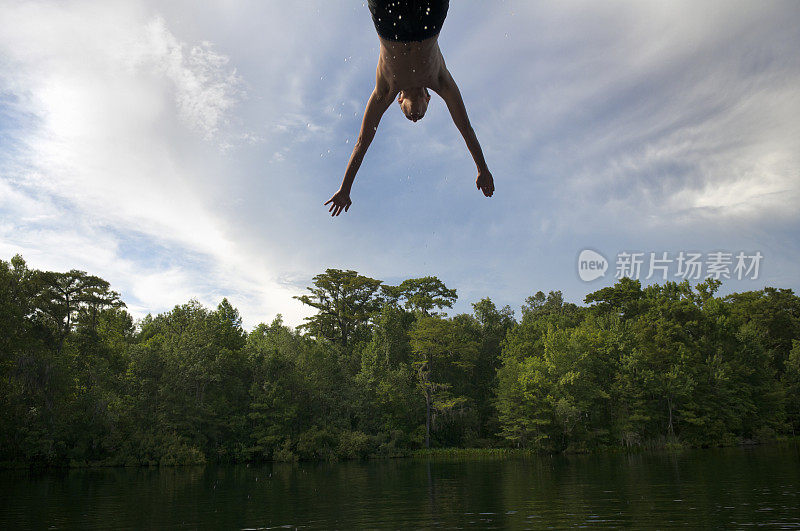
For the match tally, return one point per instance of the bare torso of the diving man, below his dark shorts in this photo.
(403, 65)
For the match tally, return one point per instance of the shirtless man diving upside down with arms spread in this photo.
(409, 64)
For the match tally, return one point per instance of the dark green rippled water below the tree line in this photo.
(728, 488)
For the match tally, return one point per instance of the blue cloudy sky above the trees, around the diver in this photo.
(184, 150)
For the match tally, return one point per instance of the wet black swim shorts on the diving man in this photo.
(408, 20)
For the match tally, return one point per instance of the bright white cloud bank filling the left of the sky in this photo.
(128, 118)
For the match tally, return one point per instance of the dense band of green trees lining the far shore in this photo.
(380, 370)
